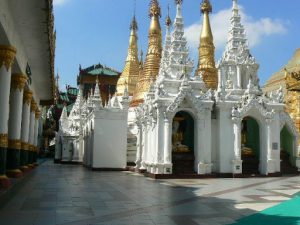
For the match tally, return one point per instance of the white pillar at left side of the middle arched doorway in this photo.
(237, 161)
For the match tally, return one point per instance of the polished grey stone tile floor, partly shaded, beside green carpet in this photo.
(72, 195)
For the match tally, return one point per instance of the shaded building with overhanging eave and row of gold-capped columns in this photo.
(27, 49)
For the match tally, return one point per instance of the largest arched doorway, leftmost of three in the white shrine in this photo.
(183, 143)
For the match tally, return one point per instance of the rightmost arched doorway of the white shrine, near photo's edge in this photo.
(287, 152)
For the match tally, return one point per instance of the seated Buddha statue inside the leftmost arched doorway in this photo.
(178, 136)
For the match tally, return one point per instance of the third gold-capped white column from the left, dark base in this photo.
(25, 130)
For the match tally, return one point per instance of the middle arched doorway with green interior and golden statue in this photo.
(250, 146)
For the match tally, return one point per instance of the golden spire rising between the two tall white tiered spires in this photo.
(206, 65)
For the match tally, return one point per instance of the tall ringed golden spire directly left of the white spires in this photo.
(153, 56)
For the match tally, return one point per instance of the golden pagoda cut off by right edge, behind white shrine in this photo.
(289, 79)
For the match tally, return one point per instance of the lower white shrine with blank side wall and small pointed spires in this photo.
(94, 135)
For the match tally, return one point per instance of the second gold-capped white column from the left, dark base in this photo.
(14, 132)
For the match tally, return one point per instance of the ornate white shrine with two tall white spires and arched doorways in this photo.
(184, 128)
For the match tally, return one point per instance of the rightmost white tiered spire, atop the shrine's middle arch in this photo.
(237, 65)
